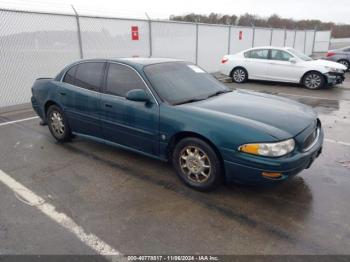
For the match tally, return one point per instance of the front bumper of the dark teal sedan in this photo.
(250, 170)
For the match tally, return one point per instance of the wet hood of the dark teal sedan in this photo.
(281, 118)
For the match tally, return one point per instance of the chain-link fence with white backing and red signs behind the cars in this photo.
(35, 44)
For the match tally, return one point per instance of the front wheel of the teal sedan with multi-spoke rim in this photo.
(197, 164)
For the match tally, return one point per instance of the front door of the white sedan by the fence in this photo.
(281, 69)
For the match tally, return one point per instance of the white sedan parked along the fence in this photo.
(281, 64)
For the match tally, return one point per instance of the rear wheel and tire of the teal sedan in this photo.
(58, 124)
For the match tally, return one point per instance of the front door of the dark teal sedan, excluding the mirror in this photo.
(129, 123)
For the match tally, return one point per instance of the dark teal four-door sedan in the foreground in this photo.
(175, 111)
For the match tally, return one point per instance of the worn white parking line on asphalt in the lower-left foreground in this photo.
(27, 196)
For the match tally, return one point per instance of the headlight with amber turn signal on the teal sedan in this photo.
(269, 149)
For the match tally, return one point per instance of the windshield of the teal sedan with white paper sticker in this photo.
(181, 82)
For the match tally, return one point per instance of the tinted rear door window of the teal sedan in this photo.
(89, 75)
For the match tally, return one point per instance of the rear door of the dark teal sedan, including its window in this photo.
(80, 97)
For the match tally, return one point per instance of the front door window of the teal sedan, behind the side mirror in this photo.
(121, 79)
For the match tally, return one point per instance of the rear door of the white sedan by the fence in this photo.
(256, 63)
